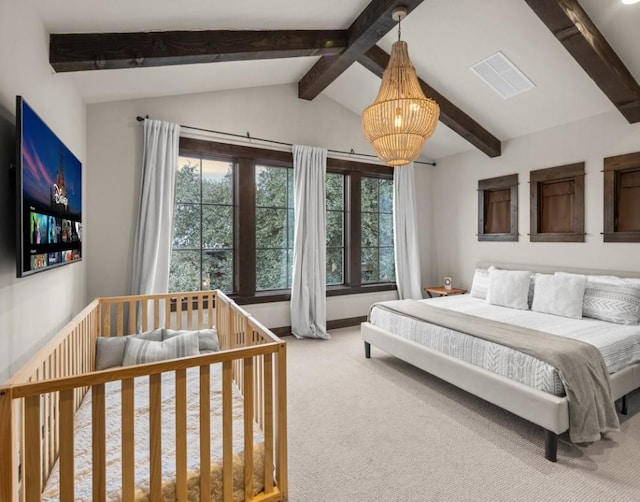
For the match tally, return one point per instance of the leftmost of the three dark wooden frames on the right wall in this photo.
(486, 186)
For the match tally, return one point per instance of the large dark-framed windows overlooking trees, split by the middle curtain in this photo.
(234, 223)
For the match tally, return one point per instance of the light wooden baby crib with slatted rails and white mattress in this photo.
(137, 432)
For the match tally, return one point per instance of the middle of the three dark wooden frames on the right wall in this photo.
(573, 173)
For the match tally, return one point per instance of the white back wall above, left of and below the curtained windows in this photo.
(114, 149)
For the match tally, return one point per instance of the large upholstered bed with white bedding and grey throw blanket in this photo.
(517, 382)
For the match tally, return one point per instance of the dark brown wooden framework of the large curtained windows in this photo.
(246, 158)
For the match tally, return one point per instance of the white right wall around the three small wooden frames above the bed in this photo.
(453, 228)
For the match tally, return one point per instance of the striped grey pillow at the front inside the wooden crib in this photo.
(139, 351)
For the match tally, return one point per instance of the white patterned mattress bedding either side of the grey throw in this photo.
(619, 344)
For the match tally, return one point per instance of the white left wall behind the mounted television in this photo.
(32, 309)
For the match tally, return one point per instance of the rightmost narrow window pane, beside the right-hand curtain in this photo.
(377, 230)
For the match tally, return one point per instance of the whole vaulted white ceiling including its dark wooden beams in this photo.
(581, 55)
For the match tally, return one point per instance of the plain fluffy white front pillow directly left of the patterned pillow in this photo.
(559, 294)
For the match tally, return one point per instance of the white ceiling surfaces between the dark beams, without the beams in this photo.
(445, 38)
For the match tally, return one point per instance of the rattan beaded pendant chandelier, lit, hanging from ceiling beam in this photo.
(401, 118)
